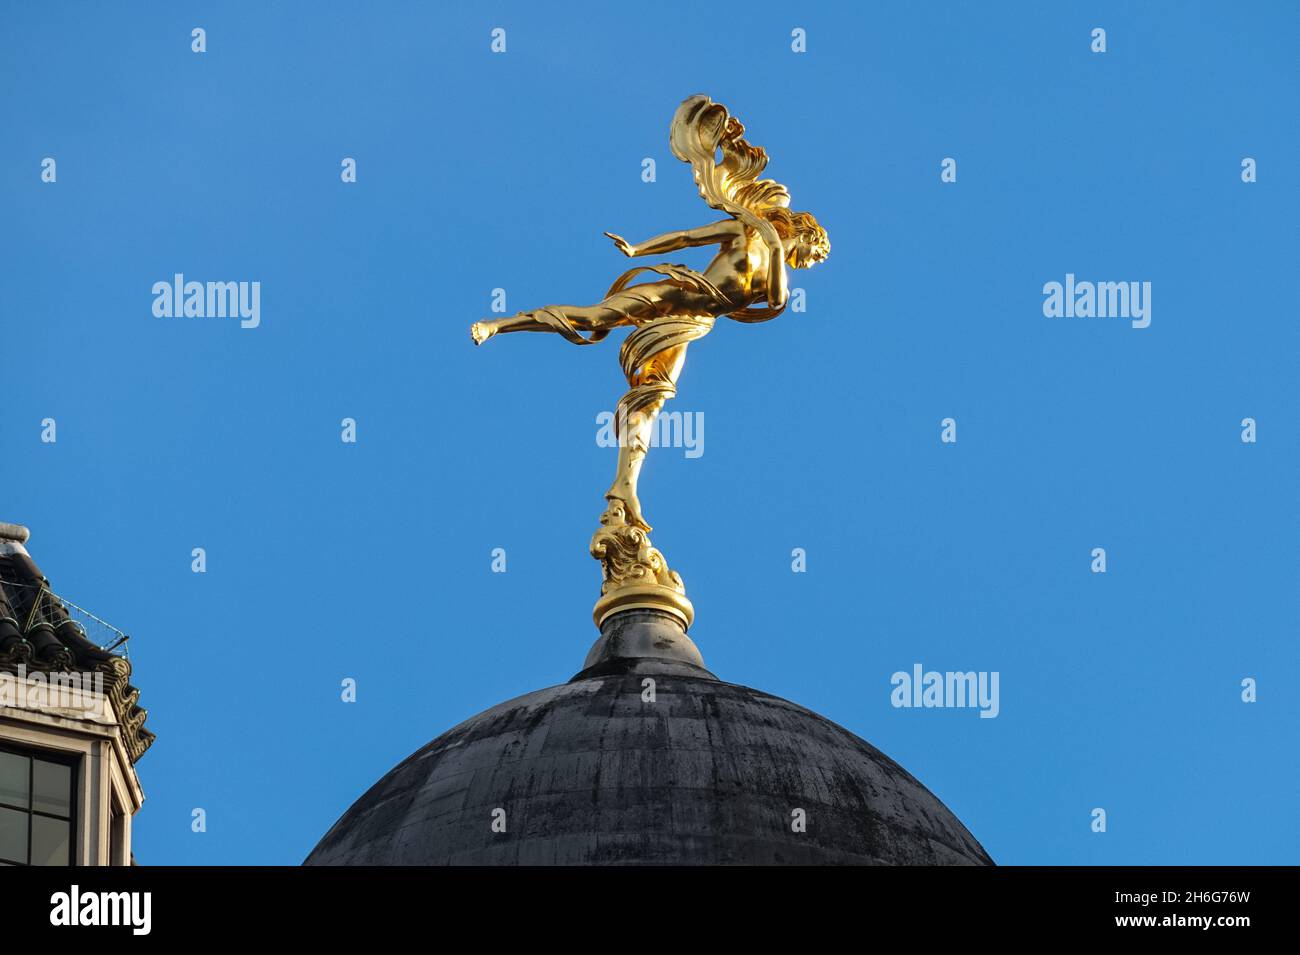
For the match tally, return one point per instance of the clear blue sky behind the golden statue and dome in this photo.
(480, 171)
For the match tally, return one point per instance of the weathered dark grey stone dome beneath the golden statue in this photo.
(590, 772)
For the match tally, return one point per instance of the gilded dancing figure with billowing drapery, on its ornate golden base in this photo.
(746, 281)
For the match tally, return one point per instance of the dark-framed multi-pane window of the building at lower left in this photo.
(36, 809)
